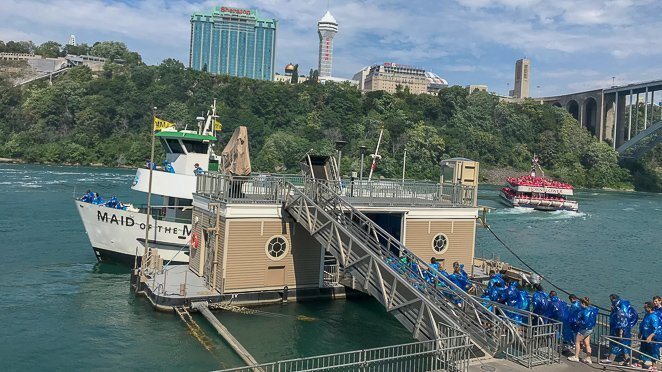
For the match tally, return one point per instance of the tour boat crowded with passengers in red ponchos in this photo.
(537, 192)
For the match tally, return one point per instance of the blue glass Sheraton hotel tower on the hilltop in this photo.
(234, 42)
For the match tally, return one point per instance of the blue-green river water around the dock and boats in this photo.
(61, 310)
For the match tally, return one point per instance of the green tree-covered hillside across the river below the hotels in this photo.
(84, 118)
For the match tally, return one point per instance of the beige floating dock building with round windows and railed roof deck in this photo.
(269, 236)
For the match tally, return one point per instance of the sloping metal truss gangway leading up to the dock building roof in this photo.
(373, 258)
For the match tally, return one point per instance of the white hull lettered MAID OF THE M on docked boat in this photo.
(116, 235)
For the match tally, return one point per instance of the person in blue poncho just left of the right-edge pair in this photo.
(622, 318)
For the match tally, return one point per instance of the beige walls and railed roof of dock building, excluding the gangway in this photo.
(248, 243)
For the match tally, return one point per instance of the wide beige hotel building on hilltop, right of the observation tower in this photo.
(388, 76)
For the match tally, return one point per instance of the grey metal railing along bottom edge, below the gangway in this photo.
(443, 354)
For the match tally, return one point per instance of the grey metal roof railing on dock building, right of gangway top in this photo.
(396, 192)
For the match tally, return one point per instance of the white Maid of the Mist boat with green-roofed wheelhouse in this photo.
(118, 233)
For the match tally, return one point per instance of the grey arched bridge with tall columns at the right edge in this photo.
(614, 114)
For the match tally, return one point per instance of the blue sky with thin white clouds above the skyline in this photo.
(573, 45)
